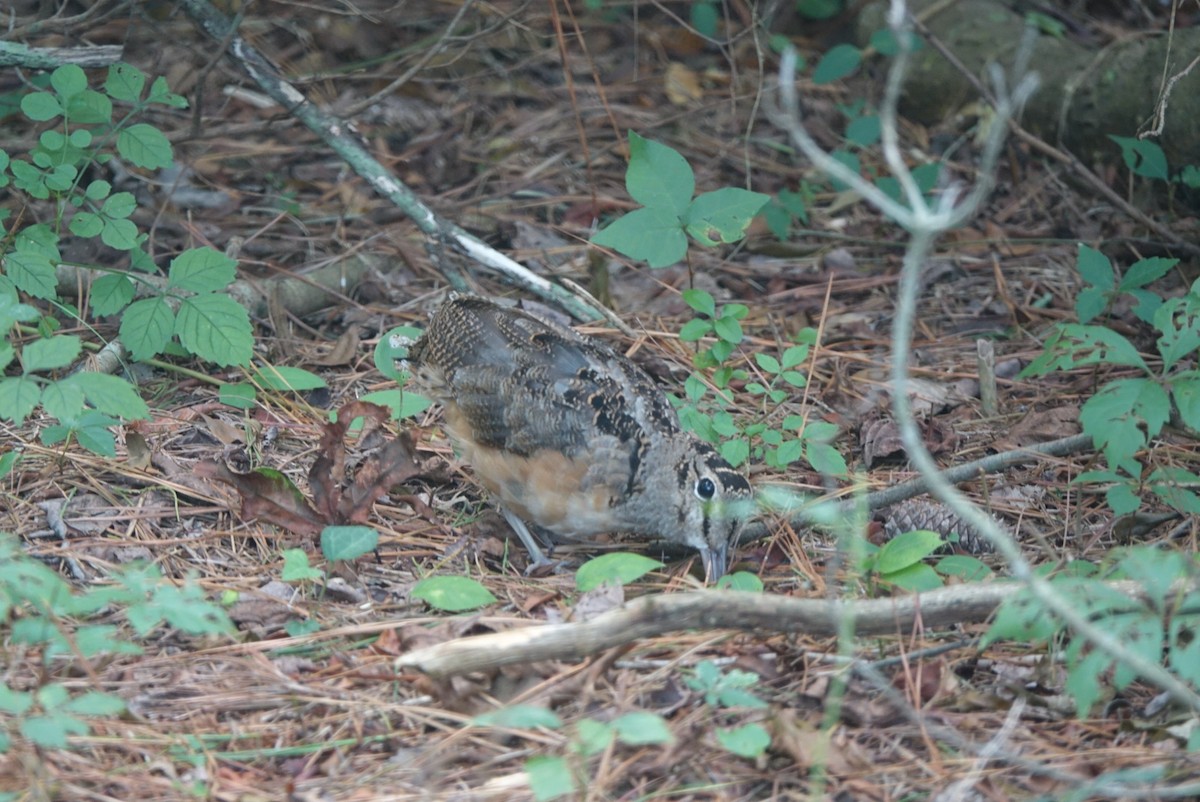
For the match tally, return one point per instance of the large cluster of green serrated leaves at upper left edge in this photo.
(88, 128)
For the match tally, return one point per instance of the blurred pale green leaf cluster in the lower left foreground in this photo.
(57, 623)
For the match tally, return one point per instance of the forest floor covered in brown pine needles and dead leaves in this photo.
(494, 133)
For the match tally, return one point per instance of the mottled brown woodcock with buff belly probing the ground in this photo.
(571, 436)
